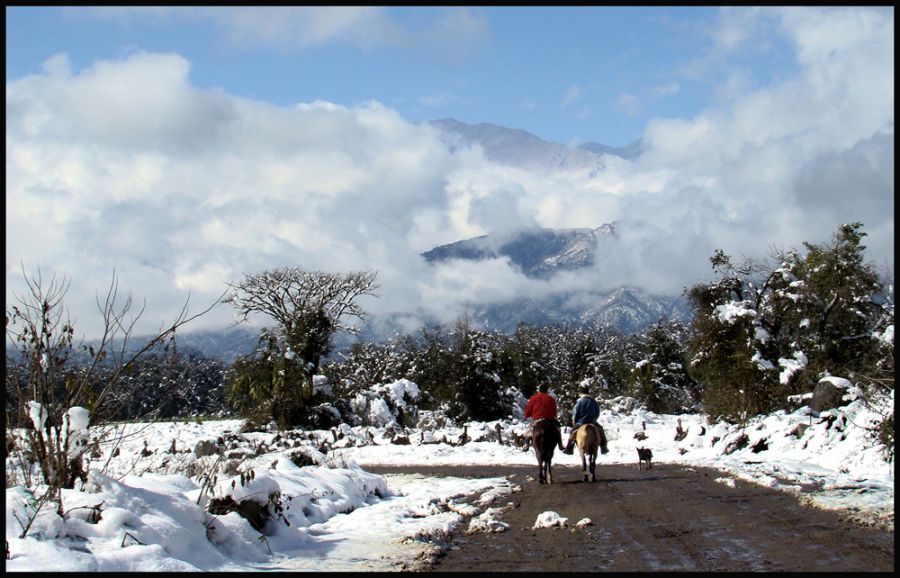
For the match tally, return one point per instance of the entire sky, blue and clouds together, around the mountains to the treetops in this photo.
(183, 148)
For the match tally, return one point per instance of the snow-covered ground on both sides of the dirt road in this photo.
(145, 509)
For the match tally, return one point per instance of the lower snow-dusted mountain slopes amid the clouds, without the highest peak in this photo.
(536, 253)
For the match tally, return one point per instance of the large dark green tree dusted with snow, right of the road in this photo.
(763, 331)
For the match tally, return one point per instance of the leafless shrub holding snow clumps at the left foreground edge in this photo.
(53, 396)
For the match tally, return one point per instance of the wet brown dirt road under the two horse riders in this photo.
(670, 518)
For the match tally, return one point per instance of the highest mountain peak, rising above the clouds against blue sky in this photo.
(519, 148)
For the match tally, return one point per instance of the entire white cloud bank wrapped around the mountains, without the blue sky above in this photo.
(182, 190)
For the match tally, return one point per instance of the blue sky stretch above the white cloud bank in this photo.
(566, 74)
